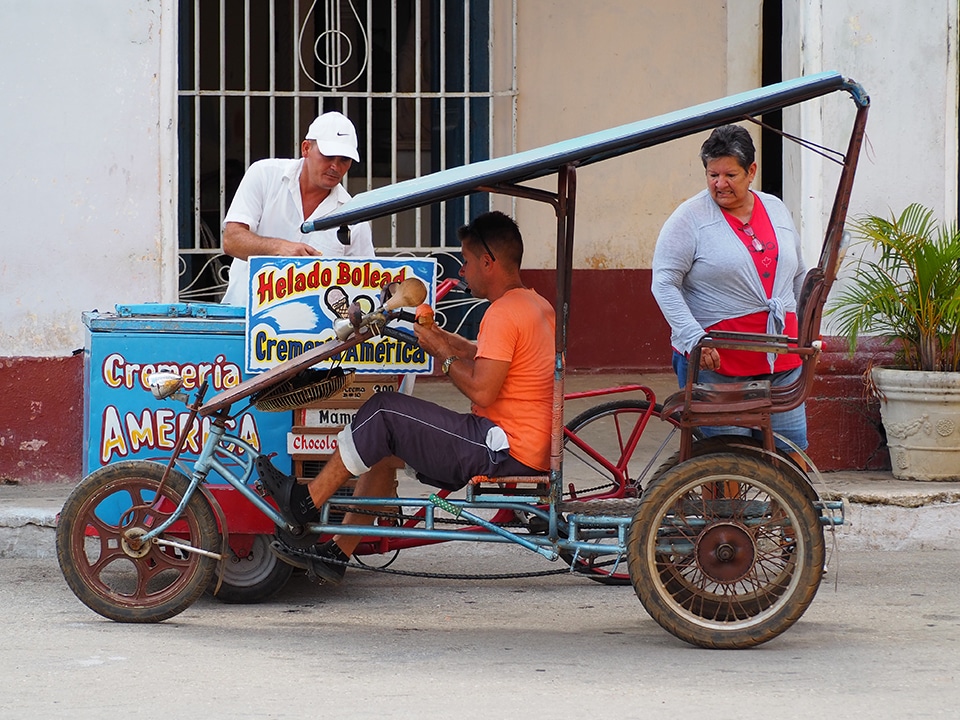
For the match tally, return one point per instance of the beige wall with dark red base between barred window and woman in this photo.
(622, 62)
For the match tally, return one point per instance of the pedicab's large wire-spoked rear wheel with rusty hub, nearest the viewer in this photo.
(726, 551)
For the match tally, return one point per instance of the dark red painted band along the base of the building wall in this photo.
(615, 325)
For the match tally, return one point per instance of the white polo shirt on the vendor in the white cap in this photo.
(268, 202)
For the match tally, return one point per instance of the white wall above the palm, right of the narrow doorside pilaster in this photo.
(903, 53)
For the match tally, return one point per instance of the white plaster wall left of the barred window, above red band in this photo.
(85, 142)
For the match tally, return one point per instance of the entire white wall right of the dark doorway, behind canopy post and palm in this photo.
(904, 55)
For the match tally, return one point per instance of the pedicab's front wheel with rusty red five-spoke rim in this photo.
(112, 576)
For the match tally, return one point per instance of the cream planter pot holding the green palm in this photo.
(921, 416)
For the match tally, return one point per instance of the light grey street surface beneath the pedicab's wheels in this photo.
(879, 641)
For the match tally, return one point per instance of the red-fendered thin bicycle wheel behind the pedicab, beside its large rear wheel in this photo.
(591, 473)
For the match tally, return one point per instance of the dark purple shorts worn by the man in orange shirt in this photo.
(444, 447)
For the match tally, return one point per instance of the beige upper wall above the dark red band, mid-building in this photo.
(622, 62)
